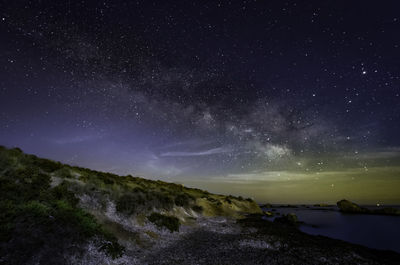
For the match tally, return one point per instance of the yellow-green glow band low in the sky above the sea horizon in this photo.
(375, 185)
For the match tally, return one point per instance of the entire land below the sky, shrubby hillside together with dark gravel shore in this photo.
(51, 213)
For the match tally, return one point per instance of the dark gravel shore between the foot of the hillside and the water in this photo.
(225, 241)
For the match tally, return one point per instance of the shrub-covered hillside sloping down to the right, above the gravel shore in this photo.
(43, 201)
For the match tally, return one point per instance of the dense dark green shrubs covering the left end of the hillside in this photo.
(33, 215)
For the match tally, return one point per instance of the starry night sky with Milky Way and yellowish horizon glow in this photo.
(283, 101)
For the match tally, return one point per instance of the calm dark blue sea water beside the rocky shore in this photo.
(375, 231)
